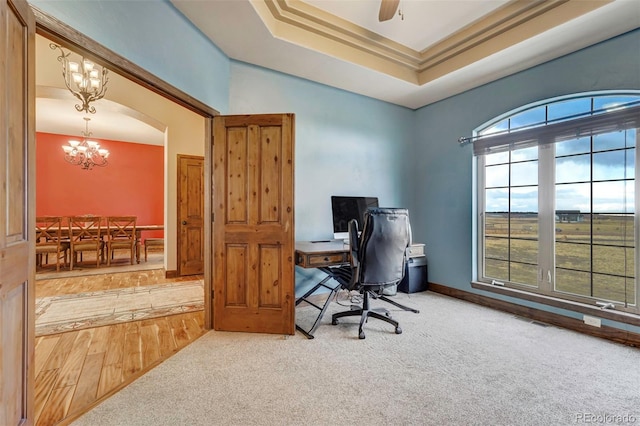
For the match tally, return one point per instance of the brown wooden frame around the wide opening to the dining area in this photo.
(59, 32)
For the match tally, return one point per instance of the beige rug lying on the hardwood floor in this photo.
(58, 314)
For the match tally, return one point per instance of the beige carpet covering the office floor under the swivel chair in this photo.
(454, 364)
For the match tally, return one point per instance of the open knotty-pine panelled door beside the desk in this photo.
(253, 229)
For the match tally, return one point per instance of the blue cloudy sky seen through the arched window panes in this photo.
(612, 164)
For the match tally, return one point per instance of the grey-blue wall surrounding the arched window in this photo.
(442, 197)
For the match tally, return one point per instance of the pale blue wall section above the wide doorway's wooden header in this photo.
(155, 36)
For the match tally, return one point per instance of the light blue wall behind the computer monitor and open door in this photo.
(346, 144)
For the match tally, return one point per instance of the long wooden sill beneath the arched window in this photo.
(610, 314)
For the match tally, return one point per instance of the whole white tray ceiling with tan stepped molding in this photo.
(432, 50)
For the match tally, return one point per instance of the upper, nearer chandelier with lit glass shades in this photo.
(84, 79)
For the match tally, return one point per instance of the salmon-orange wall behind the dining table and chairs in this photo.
(131, 184)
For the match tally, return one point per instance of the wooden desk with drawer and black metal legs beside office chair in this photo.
(321, 255)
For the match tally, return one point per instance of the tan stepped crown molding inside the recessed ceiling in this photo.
(302, 24)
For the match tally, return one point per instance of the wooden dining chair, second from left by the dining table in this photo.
(85, 235)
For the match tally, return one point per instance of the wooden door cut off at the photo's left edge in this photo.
(17, 207)
